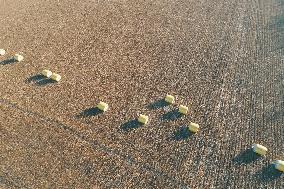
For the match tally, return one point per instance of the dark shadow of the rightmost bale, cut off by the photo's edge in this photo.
(268, 173)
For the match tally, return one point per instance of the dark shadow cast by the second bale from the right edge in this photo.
(246, 157)
